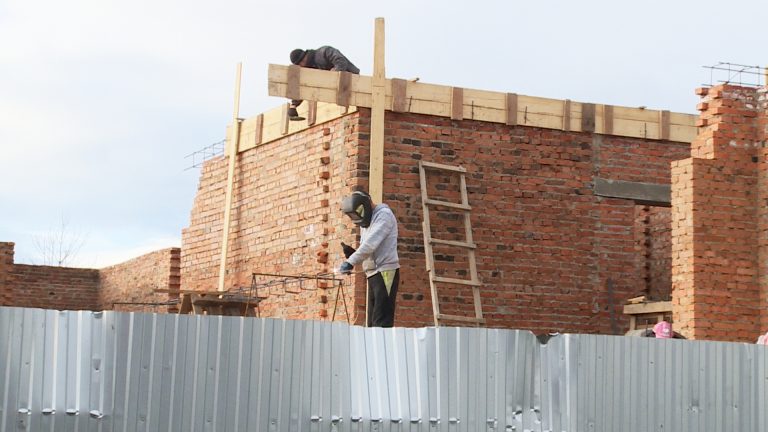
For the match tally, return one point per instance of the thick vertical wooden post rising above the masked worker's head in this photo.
(378, 88)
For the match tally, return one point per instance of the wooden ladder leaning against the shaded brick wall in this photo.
(468, 244)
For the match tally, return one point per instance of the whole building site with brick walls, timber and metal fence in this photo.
(537, 238)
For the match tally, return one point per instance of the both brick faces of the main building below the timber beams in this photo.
(552, 255)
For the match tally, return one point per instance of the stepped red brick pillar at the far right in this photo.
(715, 284)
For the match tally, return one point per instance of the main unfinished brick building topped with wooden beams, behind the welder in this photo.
(570, 201)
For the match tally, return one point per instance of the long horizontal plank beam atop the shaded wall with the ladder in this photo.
(438, 100)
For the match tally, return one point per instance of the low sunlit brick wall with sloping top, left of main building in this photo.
(134, 281)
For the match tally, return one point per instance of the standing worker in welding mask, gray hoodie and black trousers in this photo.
(378, 254)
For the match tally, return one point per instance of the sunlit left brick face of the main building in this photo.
(285, 220)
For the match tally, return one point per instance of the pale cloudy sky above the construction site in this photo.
(101, 100)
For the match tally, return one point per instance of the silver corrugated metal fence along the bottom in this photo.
(85, 371)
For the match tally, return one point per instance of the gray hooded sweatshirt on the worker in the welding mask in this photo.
(378, 243)
